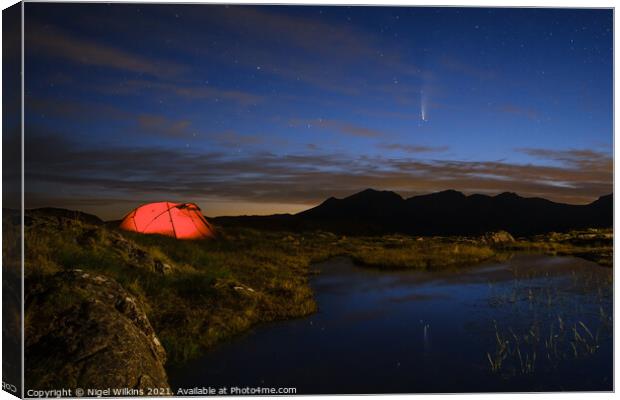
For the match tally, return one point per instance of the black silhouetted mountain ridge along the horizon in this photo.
(443, 213)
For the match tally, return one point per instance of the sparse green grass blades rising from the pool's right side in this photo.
(546, 321)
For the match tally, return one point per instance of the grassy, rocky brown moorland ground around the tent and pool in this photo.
(100, 300)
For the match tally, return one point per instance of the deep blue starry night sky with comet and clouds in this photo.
(260, 110)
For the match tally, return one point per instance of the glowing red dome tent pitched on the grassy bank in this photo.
(179, 220)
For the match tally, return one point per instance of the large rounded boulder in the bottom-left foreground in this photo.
(84, 330)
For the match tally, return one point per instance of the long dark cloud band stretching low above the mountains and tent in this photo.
(138, 172)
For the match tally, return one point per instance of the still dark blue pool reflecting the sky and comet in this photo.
(531, 323)
